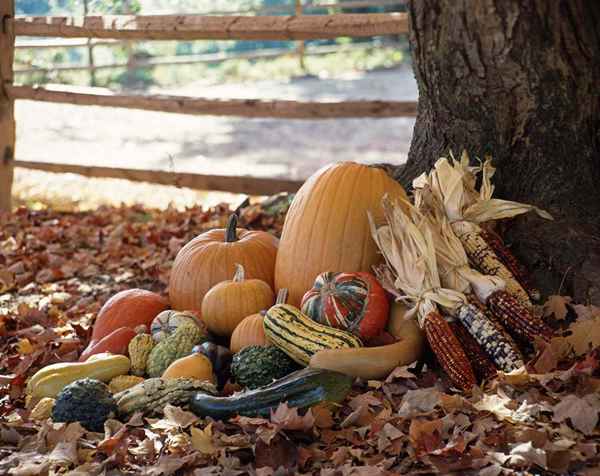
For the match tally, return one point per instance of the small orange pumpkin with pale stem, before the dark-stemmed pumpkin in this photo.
(227, 303)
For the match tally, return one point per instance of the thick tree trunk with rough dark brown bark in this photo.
(519, 81)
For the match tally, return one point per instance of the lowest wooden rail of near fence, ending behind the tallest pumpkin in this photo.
(246, 185)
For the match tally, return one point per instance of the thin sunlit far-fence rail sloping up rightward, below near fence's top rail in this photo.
(210, 58)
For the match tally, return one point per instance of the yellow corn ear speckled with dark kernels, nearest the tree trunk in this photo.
(483, 257)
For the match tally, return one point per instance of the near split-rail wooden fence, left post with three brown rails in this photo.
(182, 27)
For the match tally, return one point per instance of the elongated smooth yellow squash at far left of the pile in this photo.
(50, 380)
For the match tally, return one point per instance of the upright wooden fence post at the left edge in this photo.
(7, 115)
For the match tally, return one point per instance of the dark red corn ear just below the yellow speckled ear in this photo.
(520, 322)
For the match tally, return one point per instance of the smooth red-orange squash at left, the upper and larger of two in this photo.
(130, 308)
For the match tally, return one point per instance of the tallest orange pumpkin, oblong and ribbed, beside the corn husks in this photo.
(327, 229)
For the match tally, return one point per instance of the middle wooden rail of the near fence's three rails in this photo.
(217, 107)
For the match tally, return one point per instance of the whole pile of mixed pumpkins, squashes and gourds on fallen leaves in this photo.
(148, 351)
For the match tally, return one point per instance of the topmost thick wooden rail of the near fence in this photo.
(199, 27)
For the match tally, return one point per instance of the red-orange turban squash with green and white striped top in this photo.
(354, 302)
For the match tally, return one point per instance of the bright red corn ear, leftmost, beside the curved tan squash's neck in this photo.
(449, 352)
